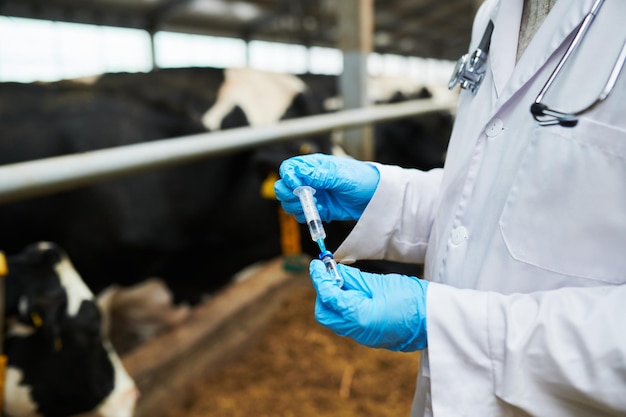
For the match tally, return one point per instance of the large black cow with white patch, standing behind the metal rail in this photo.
(194, 225)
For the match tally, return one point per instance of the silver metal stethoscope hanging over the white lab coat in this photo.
(469, 74)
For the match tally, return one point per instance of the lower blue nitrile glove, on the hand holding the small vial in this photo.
(381, 311)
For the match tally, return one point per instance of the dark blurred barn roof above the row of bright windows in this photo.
(424, 28)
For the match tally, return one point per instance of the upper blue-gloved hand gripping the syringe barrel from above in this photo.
(344, 186)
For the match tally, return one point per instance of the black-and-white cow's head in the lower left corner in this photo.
(60, 361)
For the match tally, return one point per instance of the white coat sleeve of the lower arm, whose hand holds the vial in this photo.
(553, 353)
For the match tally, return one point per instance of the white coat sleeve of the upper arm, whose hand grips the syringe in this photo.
(396, 223)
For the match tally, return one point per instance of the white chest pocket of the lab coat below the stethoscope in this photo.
(566, 210)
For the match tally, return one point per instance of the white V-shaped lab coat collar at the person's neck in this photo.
(508, 77)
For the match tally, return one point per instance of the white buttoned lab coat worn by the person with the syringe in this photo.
(523, 232)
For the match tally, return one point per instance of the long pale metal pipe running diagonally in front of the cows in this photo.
(35, 178)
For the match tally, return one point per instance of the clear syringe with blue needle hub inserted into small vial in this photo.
(318, 234)
